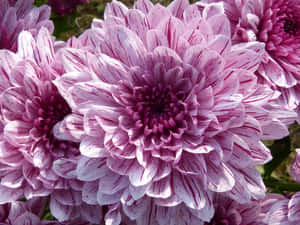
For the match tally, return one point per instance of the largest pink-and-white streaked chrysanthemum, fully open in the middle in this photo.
(168, 108)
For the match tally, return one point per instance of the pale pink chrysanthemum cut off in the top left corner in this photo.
(21, 15)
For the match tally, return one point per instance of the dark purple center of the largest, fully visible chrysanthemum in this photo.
(158, 109)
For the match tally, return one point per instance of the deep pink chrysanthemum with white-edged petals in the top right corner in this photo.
(277, 24)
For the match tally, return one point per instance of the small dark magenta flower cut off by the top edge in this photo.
(62, 7)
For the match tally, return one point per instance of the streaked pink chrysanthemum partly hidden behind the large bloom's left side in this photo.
(30, 107)
